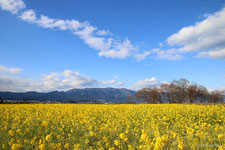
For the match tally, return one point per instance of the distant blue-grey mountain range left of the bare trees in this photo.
(109, 95)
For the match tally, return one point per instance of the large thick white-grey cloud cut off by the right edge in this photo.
(207, 36)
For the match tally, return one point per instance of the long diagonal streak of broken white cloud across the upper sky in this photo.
(100, 40)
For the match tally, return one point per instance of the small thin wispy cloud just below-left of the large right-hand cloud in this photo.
(171, 54)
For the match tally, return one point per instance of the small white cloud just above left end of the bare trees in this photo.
(147, 83)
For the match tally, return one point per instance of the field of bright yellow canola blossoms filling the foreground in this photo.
(111, 127)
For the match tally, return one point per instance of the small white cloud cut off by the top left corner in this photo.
(12, 6)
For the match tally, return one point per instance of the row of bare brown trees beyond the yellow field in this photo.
(179, 91)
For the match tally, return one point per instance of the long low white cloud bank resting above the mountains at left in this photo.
(63, 81)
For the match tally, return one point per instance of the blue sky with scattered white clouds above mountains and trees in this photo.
(61, 45)
